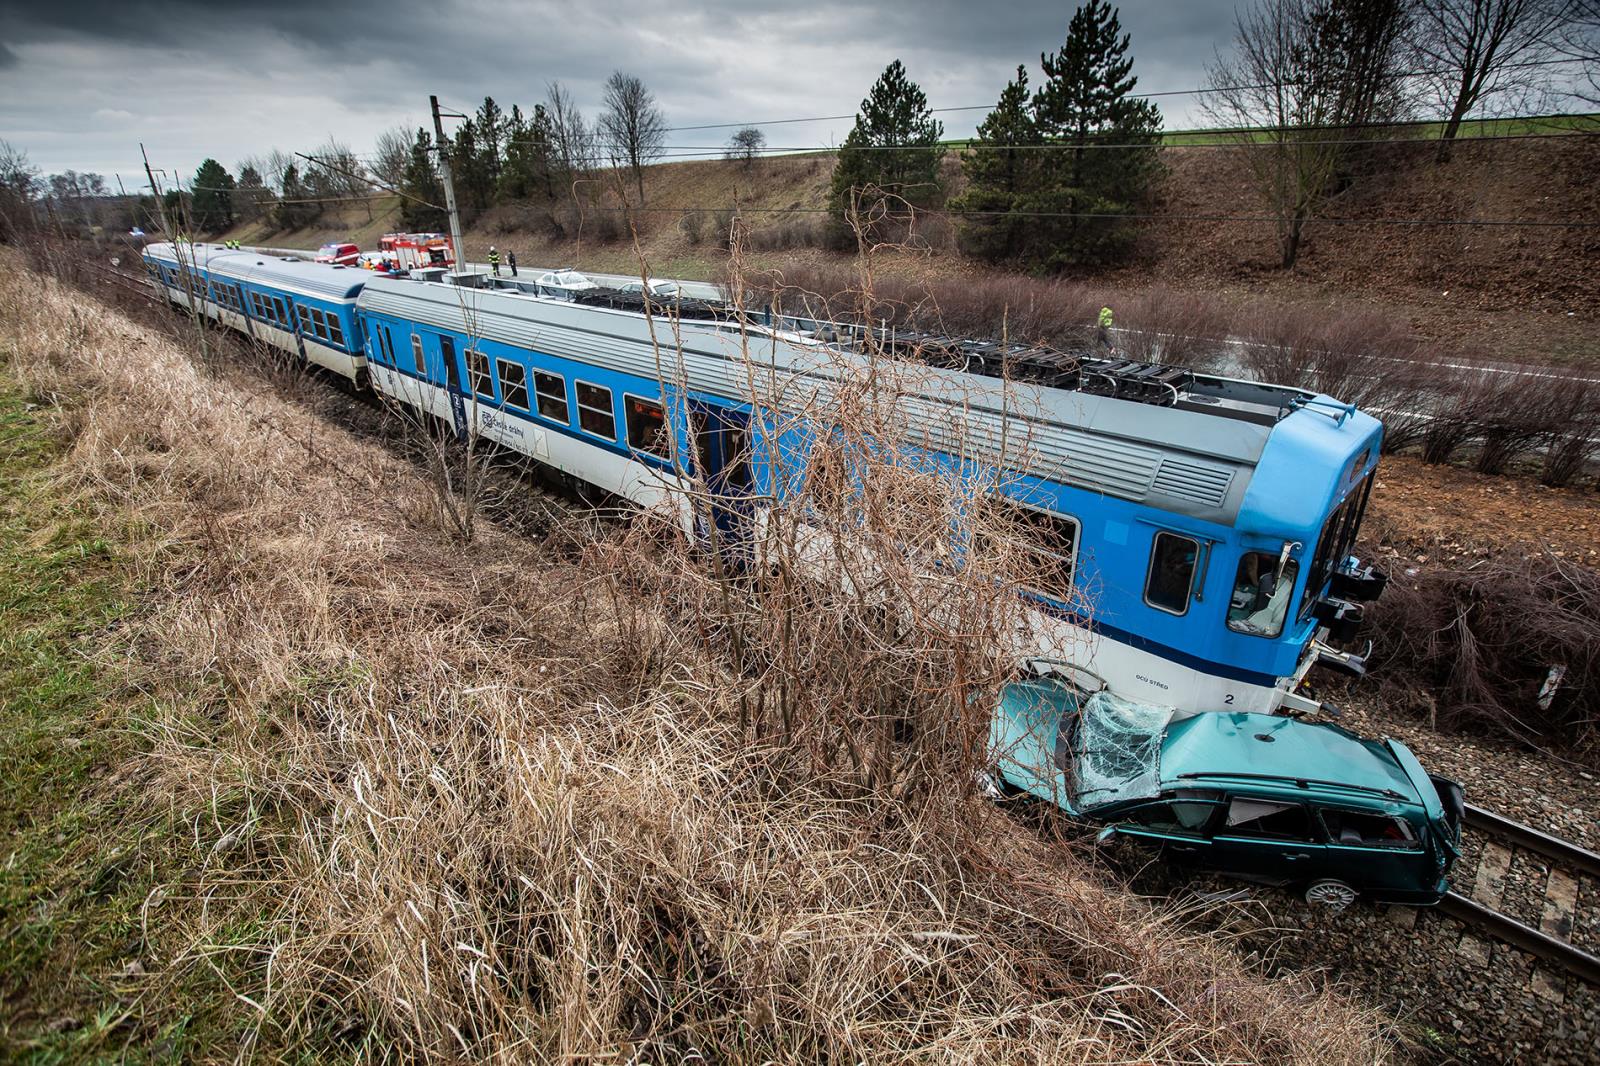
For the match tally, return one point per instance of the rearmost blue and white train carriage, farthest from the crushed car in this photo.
(302, 308)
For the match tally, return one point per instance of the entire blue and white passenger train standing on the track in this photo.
(1212, 519)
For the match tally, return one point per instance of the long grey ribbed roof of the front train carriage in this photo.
(1198, 460)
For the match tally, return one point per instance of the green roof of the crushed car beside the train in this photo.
(1270, 753)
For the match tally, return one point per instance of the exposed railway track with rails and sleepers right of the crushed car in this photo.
(1484, 908)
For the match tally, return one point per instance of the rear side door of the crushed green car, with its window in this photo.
(1268, 840)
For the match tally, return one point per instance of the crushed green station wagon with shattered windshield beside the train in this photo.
(1257, 796)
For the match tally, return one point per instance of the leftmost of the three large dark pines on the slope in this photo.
(894, 150)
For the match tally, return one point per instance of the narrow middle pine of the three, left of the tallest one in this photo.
(1001, 170)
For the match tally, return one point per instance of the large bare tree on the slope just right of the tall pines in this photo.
(1305, 79)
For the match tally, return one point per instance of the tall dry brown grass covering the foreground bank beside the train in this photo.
(454, 812)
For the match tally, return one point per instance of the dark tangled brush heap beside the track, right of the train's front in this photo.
(1489, 639)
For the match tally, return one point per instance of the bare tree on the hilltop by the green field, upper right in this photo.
(1473, 54)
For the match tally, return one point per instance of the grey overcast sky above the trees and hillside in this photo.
(84, 84)
